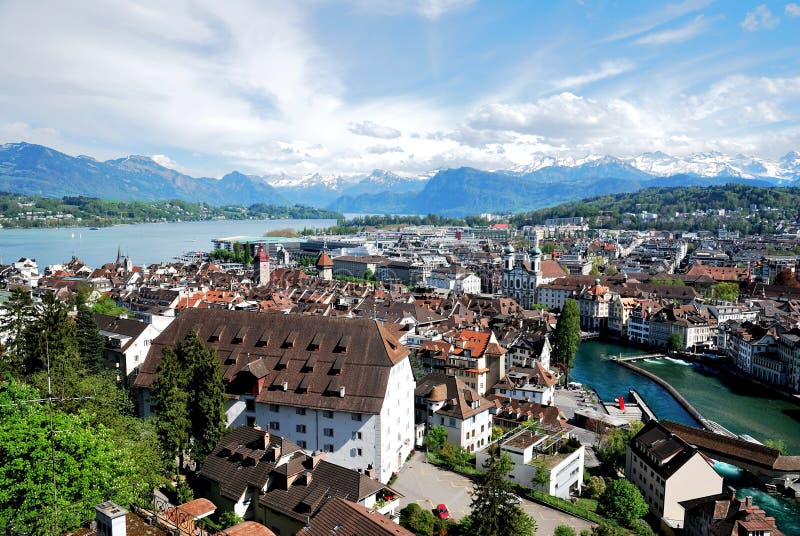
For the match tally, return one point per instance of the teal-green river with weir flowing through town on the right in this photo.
(730, 403)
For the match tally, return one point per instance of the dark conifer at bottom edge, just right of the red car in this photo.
(494, 512)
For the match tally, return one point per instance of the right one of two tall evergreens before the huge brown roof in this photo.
(207, 396)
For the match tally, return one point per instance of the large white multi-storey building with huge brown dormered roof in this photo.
(339, 385)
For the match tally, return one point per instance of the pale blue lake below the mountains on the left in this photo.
(146, 243)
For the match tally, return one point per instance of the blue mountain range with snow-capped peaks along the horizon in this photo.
(37, 170)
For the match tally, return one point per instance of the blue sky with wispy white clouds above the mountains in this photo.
(303, 87)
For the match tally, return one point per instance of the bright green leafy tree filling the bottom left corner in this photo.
(88, 466)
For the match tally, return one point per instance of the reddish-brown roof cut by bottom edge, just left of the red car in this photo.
(345, 518)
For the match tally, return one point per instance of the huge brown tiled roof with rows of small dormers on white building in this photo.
(354, 354)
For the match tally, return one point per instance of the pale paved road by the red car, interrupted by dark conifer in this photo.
(428, 485)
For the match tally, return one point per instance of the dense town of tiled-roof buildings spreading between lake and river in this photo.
(341, 355)
